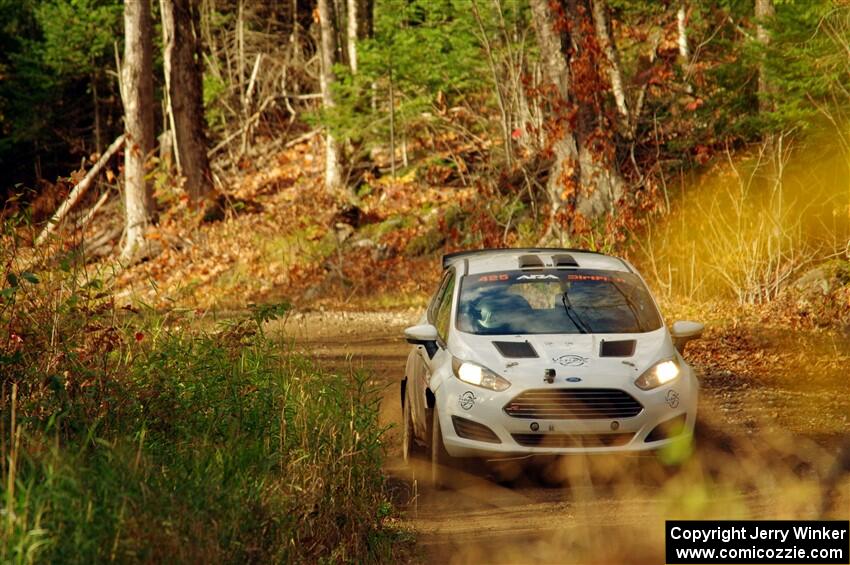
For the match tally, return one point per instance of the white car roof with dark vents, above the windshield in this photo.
(511, 259)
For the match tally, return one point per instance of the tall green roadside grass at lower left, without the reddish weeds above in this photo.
(215, 450)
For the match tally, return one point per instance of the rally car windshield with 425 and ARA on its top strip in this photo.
(555, 302)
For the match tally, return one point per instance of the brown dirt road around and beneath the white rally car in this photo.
(764, 447)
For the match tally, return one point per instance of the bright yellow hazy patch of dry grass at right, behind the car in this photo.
(750, 225)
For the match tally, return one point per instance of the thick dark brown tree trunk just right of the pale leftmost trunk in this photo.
(183, 78)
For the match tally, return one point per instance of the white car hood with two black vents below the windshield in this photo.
(580, 356)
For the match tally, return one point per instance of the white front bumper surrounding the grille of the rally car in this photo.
(519, 437)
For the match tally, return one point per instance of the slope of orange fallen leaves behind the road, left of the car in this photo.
(284, 238)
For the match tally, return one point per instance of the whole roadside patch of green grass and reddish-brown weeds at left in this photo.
(139, 437)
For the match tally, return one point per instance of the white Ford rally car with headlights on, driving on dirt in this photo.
(526, 352)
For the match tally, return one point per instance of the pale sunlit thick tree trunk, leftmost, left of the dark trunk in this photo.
(137, 86)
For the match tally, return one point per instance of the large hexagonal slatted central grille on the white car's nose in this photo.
(573, 404)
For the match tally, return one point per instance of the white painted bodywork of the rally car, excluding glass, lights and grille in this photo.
(572, 356)
